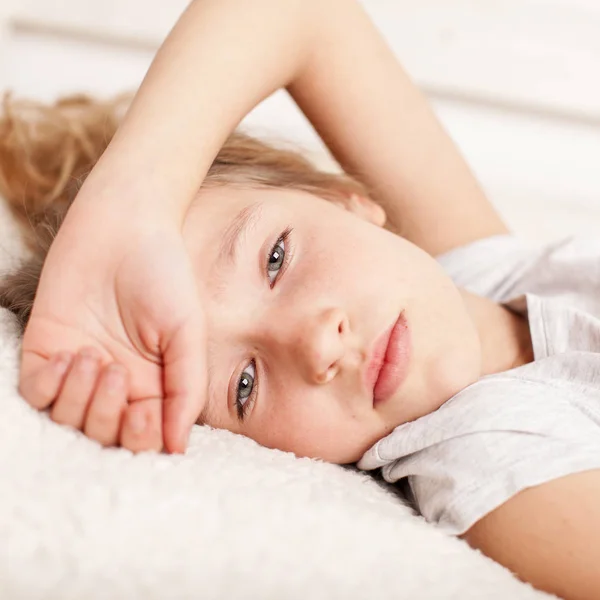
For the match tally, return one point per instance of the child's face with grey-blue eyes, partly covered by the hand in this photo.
(300, 296)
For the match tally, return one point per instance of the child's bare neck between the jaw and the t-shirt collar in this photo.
(504, 335)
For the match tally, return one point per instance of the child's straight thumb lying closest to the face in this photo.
(184, 383)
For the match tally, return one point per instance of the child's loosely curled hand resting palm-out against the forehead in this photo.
(122, 285)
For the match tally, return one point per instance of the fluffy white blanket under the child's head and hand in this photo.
(229, 520)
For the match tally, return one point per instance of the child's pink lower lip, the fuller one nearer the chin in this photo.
(395, 364)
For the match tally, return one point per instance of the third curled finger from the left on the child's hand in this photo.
(105, 411)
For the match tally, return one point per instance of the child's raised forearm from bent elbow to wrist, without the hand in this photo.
(221, 59)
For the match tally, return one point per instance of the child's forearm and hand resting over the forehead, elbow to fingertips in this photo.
(118, 278)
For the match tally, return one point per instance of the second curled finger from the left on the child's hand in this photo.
(77, 390)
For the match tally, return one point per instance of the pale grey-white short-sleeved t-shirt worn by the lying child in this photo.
(522, 427)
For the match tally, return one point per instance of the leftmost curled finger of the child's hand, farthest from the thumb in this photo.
(41, 387)
